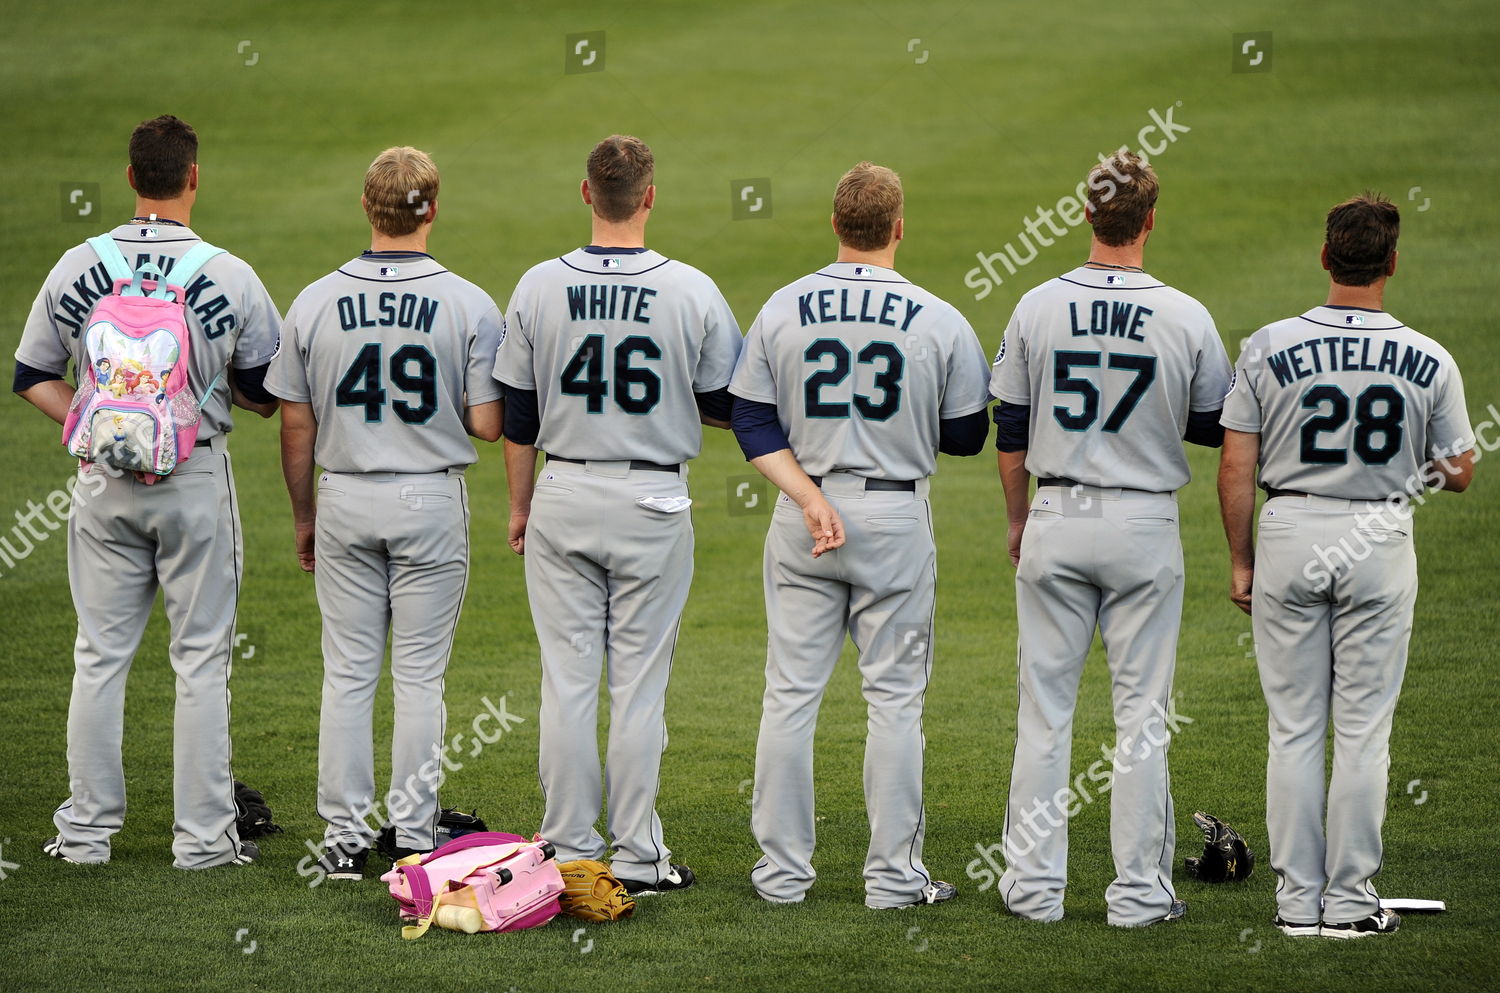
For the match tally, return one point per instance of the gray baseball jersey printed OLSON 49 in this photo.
(389, 350)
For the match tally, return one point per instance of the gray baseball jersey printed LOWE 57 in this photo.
(1111, 364)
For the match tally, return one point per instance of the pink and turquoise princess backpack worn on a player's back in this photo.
(134, 409)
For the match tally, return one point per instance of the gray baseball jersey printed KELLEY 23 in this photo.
(895, 361)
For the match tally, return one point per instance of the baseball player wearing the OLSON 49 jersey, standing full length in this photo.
(385, 371)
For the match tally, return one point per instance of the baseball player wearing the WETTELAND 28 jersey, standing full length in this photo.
(1348, 415)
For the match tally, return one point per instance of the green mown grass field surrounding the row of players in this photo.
(988, 110)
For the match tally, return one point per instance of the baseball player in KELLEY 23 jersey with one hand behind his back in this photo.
(850, 385)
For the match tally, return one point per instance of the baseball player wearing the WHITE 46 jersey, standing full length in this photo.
(614, 358)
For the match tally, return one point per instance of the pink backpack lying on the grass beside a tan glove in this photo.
(487, 881)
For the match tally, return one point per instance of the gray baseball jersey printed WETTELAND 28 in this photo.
(1348, 403)
